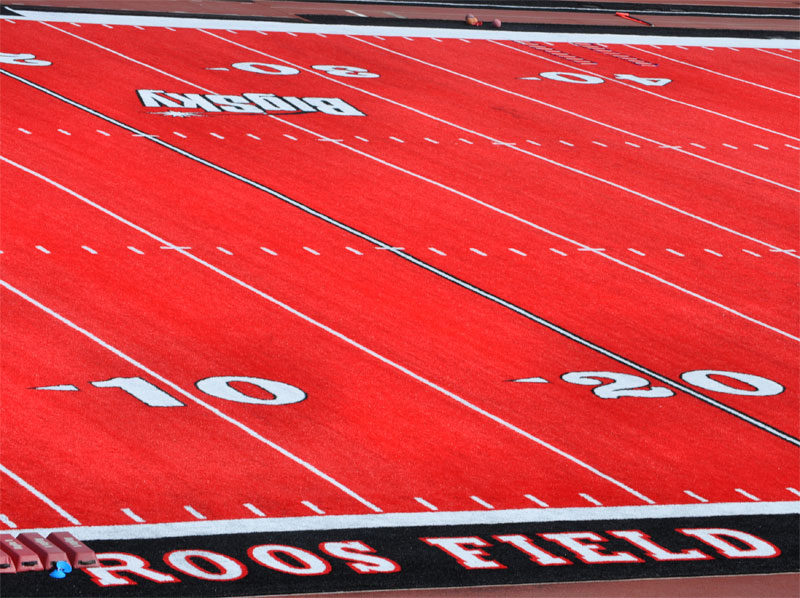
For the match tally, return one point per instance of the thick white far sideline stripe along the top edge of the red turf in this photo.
(422, 32)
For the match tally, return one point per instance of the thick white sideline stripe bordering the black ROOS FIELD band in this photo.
(420, 519)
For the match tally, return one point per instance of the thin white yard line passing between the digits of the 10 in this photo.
(189, 396)
